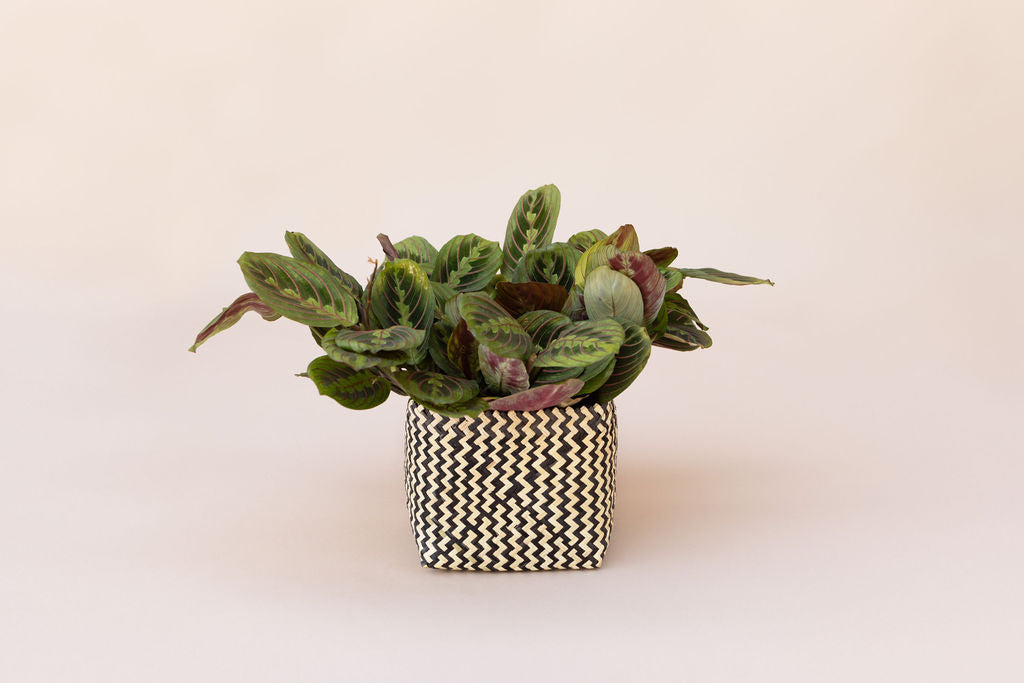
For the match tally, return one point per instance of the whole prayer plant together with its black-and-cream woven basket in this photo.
(510, 356)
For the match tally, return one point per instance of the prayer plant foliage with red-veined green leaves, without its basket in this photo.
(478, 326)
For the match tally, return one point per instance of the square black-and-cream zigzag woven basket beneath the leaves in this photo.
(511, 491)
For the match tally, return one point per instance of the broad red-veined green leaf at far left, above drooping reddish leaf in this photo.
(303, 292)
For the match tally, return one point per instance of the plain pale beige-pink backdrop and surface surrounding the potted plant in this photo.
(833, 493)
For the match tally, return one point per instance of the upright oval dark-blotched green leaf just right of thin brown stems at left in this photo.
(402, 295)
